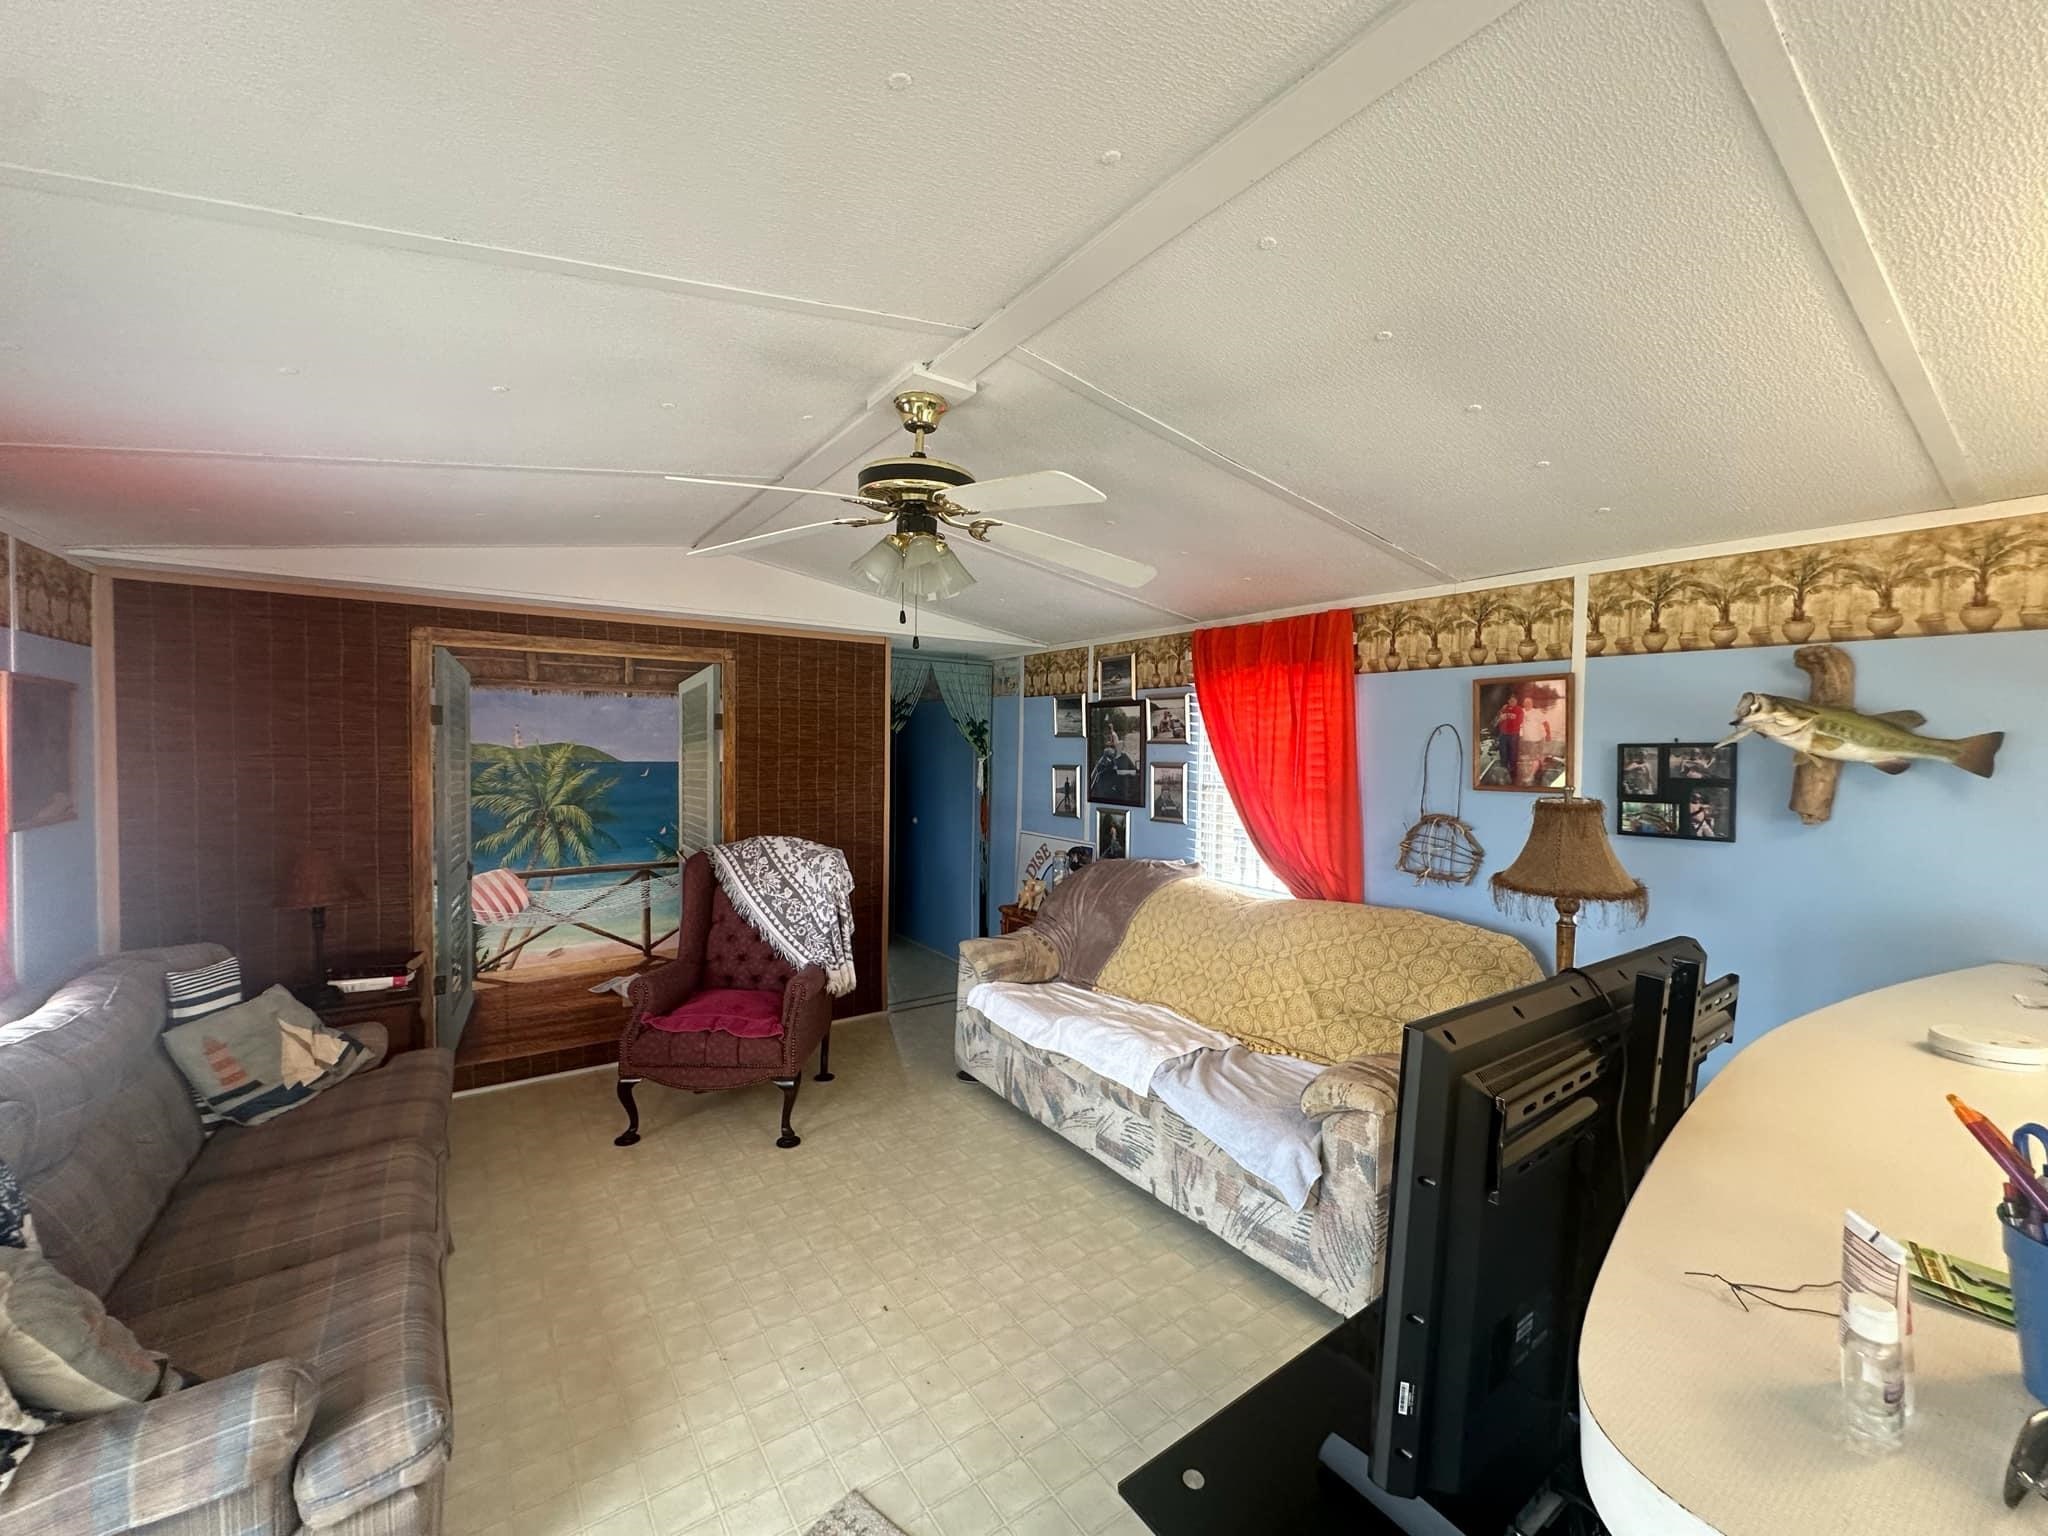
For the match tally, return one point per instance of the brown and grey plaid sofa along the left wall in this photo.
(298, 1267)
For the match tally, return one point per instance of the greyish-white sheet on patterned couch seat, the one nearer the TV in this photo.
(1250, 1105)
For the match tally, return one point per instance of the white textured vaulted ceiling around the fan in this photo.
(708, 239)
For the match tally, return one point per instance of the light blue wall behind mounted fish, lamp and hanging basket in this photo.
(1914, 876)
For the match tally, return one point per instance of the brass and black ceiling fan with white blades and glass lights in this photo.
(927, 499)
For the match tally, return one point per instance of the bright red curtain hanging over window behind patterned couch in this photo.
(1279, 708)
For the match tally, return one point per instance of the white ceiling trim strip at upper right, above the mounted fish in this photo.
(1758, 50)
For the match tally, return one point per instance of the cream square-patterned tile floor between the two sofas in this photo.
(933, 1302)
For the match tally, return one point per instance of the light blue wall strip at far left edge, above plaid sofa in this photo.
(54, 882)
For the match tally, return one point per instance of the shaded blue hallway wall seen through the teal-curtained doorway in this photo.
(933, 802)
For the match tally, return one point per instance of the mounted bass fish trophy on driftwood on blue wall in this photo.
(1826, 732)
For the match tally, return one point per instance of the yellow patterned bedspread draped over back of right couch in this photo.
(1314, 980)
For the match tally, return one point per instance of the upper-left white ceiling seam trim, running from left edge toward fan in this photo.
(60, 183)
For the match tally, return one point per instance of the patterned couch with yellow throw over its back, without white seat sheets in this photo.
(1316, 980)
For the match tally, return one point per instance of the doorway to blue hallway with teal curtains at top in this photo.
(939, 820)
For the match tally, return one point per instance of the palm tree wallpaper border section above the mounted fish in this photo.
(1971, 579)
